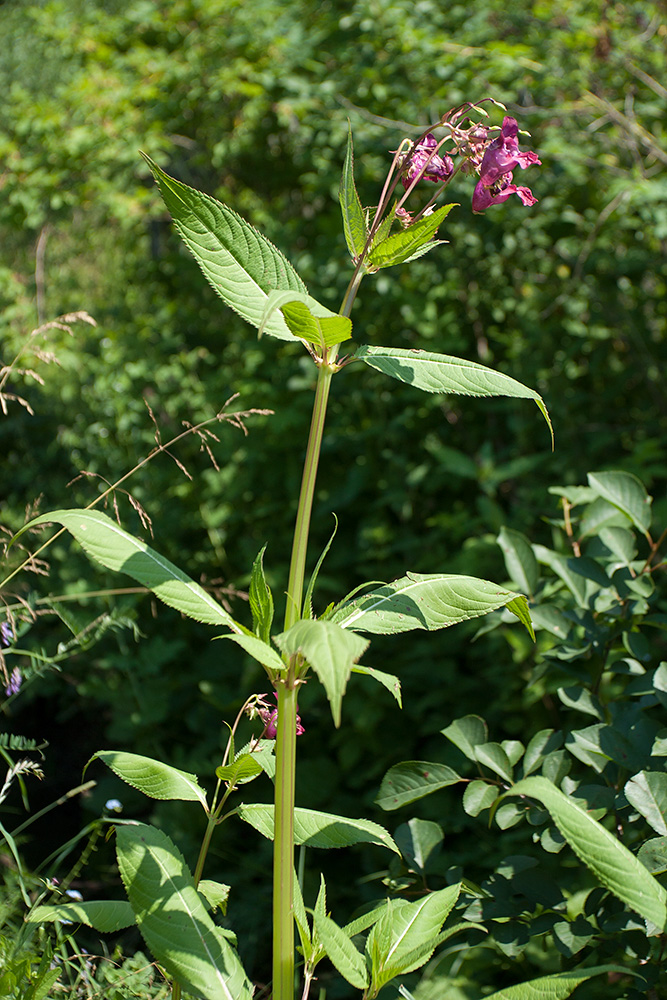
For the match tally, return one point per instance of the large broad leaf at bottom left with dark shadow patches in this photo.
(172, 917)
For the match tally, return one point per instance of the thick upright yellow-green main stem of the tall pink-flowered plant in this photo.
(283, 845)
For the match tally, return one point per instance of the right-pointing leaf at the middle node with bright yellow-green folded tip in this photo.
(428, 601)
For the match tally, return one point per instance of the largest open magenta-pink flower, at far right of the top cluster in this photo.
(495, 173)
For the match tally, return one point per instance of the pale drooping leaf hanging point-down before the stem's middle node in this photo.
(329, 650)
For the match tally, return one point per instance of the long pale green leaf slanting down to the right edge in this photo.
(611, 862)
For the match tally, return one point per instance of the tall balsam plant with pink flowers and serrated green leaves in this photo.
(169, 904)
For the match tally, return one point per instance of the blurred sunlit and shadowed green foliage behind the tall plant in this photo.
(250, 102)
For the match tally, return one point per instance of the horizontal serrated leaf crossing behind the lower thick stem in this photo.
(318, 829)
